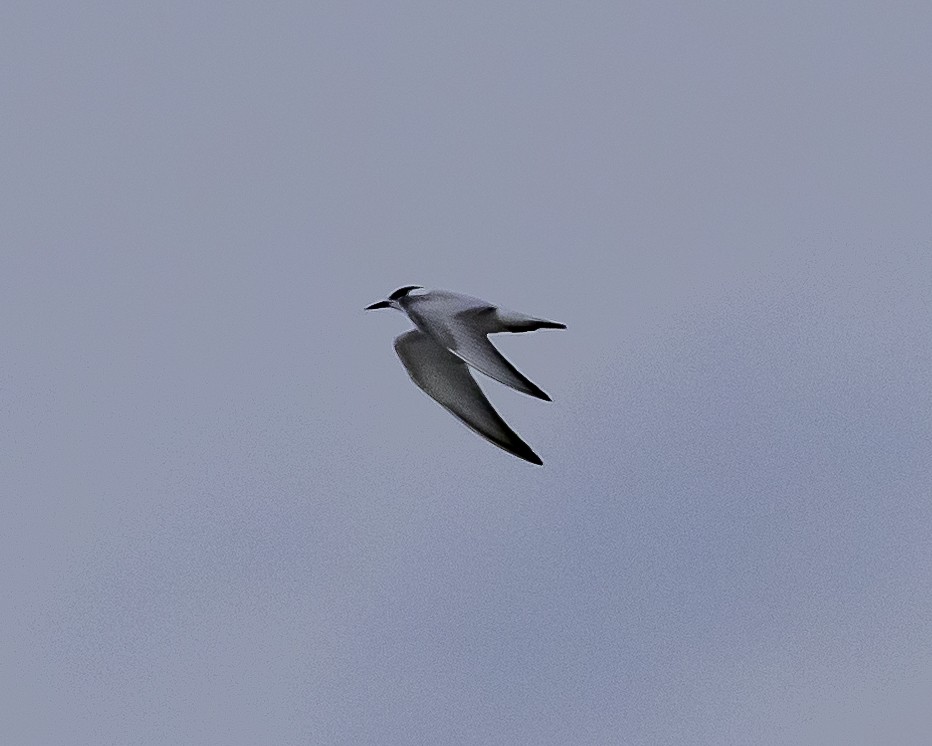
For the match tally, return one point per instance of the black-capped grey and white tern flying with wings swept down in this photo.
(450, 337)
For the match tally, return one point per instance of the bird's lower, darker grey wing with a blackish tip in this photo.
(446, 379)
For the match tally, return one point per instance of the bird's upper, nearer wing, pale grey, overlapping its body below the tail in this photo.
(464, 334)
